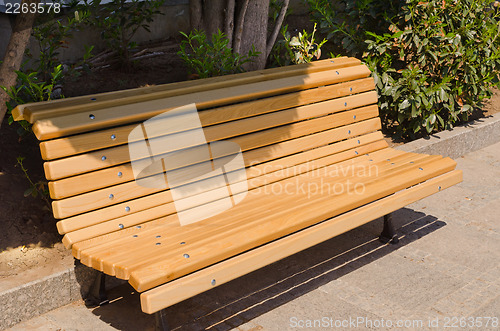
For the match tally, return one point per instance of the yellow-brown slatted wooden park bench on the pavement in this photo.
(315, 161)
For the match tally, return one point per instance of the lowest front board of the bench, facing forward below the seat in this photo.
(201, 281)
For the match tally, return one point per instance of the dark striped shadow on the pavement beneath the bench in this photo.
(239, 301)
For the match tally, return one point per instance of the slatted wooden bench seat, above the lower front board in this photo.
(157, 254)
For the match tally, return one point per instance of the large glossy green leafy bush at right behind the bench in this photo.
(437, 63)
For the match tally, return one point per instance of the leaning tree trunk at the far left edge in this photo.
(14, 54)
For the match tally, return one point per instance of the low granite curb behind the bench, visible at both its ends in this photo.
(38, 297)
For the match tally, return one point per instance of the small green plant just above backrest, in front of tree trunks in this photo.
(209, 58)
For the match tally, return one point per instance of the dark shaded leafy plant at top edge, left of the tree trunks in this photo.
(119, 20)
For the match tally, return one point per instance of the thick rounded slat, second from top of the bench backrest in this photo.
(61, 126)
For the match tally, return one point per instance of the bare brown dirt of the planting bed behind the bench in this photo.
(28, 235)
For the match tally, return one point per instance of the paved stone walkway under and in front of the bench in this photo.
(446, 266)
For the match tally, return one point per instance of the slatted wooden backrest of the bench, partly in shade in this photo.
(279, 117)
